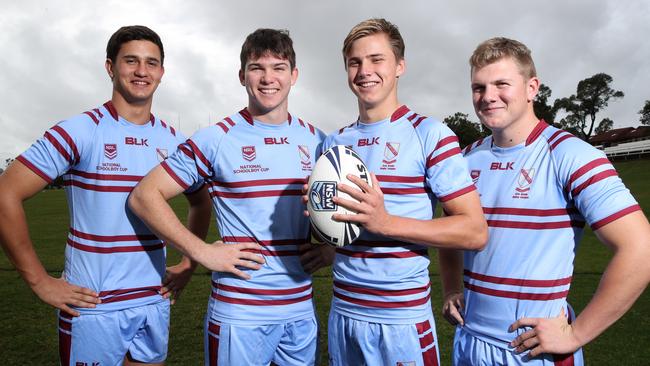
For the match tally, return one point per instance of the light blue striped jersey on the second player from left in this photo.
(255, 173)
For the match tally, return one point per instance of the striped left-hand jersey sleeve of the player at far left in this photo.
(60, 148)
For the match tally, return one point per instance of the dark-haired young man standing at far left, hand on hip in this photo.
(110, 299)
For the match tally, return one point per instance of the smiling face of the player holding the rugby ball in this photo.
(373, 70)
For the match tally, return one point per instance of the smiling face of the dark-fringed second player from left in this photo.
(268, 80)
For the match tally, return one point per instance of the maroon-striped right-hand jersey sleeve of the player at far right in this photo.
(591, 182)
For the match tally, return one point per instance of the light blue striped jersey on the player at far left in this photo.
(102, 157)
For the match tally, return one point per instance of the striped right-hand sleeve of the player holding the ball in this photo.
(446, 170)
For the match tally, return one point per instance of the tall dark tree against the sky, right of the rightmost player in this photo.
(592, 96)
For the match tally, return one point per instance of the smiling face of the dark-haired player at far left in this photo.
(136, 72)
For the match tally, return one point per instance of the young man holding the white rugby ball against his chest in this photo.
(381, 310)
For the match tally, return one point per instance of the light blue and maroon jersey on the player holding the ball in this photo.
(418, 163)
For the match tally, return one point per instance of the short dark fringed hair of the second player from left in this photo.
(268, 41)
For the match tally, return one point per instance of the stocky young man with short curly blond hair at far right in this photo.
(539, 186)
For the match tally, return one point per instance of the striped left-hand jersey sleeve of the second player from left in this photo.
(191, 164)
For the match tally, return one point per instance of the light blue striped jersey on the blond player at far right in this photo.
(536, 197)
